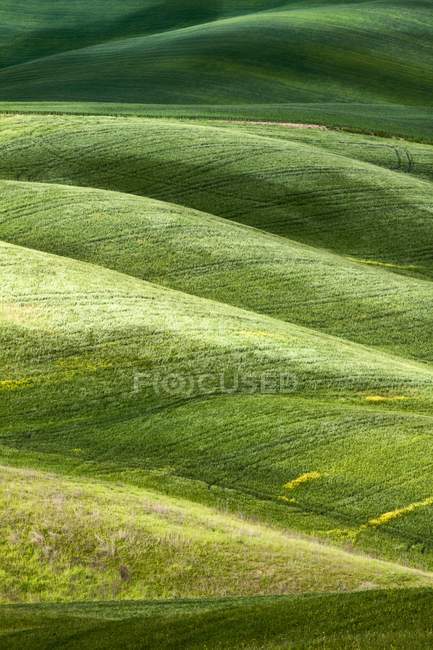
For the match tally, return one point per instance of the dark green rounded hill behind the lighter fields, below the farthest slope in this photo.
(309, 52)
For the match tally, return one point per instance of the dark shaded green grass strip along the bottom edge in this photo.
(339, 621)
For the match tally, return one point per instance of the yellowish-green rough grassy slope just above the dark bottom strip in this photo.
(109, 542)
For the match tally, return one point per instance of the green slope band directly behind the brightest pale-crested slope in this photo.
(211, 257)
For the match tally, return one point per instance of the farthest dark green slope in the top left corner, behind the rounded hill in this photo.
(32, 30)
